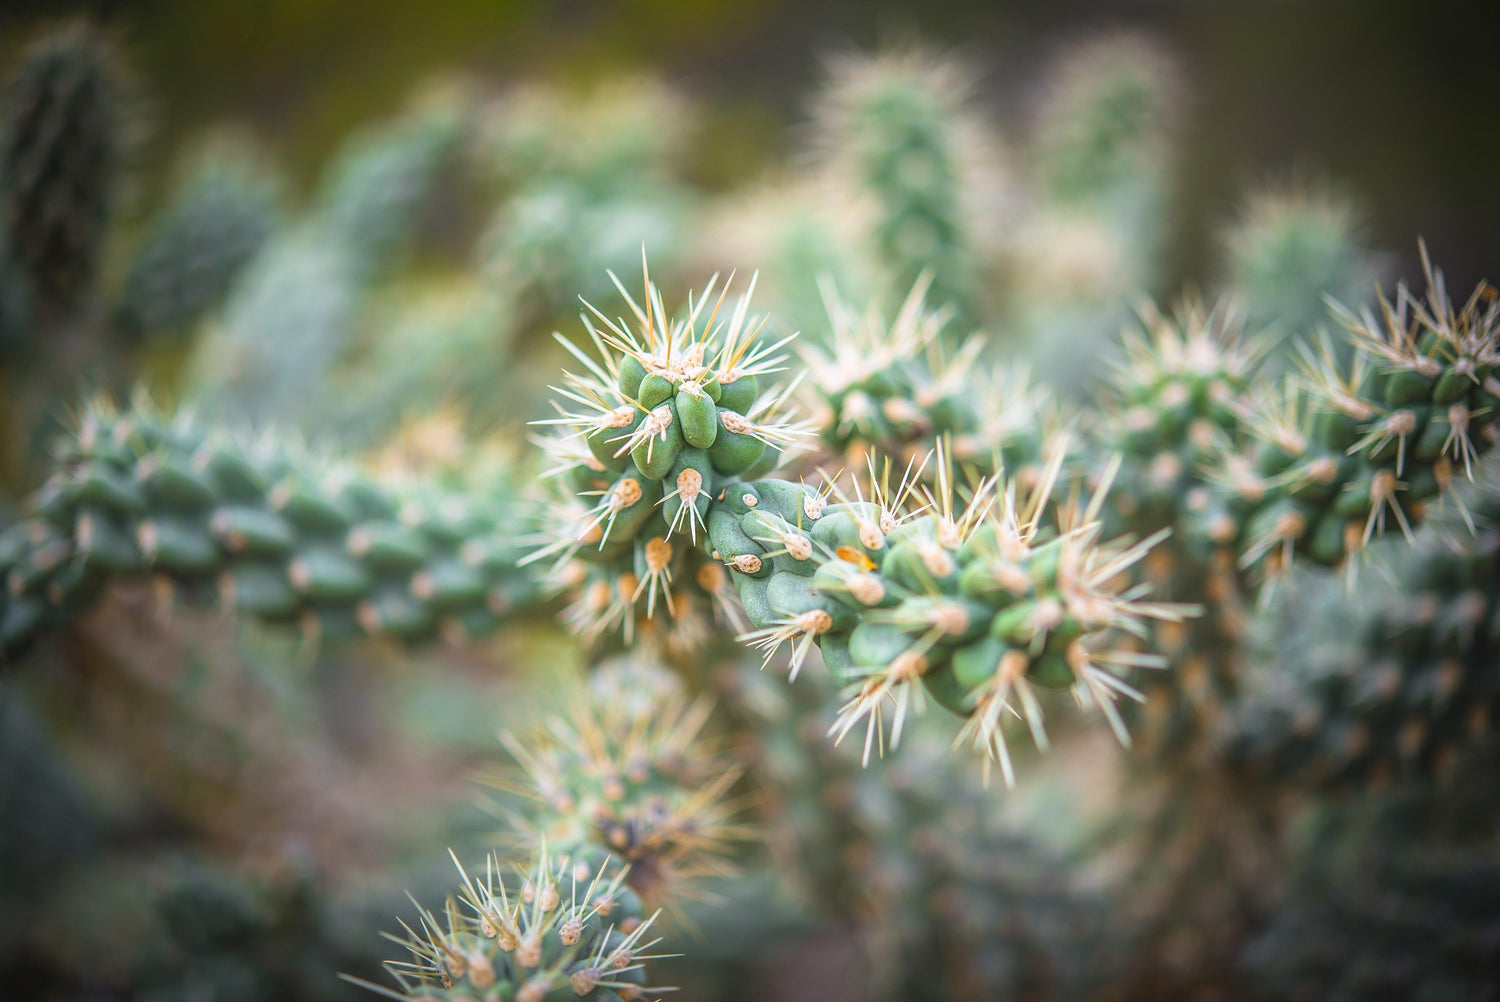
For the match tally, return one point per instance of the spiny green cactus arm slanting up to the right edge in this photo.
(1351, 452)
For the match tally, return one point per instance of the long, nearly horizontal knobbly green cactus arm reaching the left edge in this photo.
(272, 535)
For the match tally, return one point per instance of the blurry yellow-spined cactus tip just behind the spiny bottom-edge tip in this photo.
(629, 773)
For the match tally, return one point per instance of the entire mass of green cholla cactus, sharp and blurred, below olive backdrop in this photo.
(506, 425)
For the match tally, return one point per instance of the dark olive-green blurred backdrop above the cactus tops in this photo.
(1394, 100)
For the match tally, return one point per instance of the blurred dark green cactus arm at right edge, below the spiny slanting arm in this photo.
(1396, 688)
